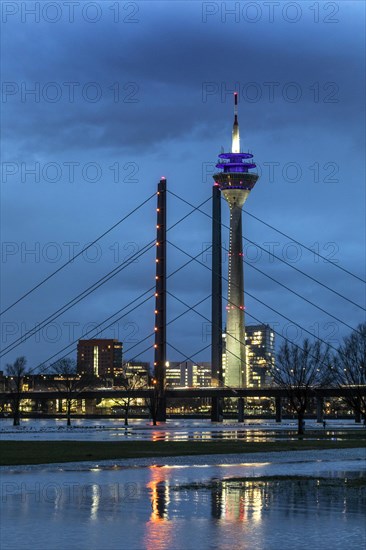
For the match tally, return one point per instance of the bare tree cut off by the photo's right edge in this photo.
(350, 368)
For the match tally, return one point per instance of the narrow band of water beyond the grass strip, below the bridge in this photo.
(173, 430)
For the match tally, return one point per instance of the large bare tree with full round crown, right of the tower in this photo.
(298, 371)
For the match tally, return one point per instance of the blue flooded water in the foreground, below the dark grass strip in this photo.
(181, 507)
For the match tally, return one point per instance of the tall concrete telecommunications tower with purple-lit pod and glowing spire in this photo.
(235, 182)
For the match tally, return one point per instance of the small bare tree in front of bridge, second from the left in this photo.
(69, 383)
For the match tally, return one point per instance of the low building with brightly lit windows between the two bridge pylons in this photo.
(187, 374)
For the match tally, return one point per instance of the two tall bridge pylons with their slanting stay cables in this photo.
(160, 289)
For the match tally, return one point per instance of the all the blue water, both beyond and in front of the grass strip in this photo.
(205, 502)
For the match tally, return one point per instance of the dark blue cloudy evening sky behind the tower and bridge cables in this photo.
(125, 92)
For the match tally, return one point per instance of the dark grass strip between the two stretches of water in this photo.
(45, 452)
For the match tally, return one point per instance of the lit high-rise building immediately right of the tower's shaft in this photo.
(260, 354)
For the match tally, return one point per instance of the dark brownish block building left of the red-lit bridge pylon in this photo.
(99, 357)
